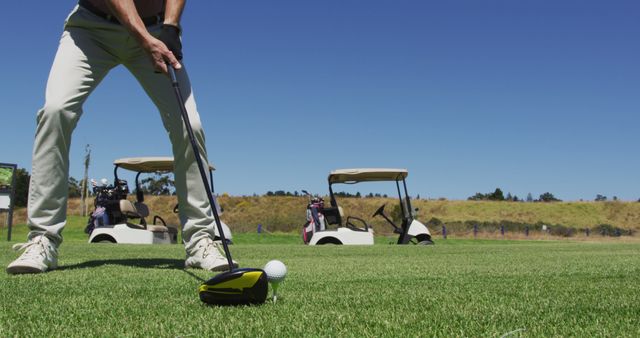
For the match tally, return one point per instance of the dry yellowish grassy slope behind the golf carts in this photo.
(287, 214)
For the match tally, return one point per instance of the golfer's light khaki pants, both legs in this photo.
(89, 48)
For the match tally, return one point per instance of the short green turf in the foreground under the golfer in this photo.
(455, 288)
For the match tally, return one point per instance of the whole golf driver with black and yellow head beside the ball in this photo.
(233, 287)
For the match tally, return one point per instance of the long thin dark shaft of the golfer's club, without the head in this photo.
(196, 153)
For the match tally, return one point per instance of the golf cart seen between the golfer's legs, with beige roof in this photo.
(118, 220)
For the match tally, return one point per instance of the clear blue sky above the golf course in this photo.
(528, 96)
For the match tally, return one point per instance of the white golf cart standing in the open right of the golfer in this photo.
(354, 230)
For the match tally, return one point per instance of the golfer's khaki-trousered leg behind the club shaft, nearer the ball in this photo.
(195, 213)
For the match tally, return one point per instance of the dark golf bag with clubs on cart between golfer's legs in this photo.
(107, 205)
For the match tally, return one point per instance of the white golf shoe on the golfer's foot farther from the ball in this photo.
(39, 255)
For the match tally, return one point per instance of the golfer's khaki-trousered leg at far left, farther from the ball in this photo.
(78, 67)
